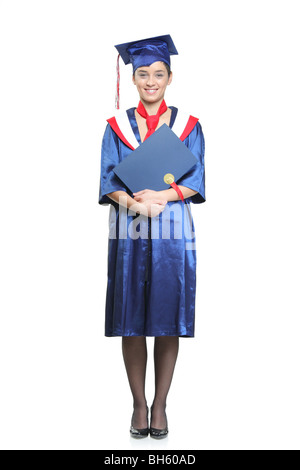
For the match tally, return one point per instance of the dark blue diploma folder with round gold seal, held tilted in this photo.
(161, 159)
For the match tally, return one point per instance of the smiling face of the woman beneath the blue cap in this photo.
(152, 81)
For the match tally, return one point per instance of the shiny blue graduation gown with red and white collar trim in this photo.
(151, 284)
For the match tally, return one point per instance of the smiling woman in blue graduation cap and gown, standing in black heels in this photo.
(151, 280)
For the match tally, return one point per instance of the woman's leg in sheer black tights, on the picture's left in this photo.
(135, 358)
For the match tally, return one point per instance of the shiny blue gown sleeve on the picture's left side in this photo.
(109, 182)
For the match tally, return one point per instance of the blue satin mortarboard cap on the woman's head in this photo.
(144, 52)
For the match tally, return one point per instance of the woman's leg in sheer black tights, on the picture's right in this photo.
(165, 355)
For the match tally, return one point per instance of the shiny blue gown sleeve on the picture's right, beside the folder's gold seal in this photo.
(195, 178)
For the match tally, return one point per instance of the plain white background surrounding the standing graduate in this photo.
(63, 384)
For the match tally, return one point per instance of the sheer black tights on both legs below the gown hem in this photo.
(135, 358)
